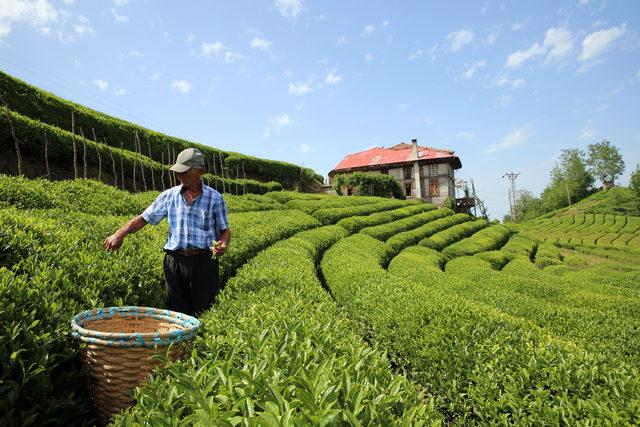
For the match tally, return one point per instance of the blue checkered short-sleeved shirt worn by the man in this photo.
(190, 227)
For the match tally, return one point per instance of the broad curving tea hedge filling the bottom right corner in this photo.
(481, 365)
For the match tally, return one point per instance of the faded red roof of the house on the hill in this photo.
(400, 153)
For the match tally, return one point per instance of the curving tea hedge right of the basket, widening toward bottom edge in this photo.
(276, 350)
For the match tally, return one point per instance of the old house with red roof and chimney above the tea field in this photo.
(423, 172)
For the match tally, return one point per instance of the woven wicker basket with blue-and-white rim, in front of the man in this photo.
(120, 343)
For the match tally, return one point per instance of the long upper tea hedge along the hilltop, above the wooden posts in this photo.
(43, 106)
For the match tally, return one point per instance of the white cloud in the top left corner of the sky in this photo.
(36, 13)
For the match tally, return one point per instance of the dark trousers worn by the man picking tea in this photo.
(192, 282)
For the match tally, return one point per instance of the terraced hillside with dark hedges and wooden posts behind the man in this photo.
(38, 113)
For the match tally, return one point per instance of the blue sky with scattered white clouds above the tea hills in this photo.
(506, 85)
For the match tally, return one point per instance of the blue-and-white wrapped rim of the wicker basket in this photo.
(189, 323)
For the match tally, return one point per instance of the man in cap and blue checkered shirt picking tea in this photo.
(198, 217)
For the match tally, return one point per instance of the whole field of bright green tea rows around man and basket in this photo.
(336, 311)
